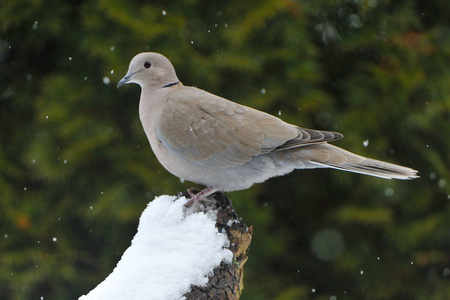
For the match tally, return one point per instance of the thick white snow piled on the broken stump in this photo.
(172, 250)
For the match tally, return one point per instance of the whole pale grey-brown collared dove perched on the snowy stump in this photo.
(225, 146)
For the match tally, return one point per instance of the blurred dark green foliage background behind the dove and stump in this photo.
(76, 170)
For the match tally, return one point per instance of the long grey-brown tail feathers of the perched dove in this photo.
(329, 156)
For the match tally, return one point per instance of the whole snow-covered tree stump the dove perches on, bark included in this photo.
(179, 254)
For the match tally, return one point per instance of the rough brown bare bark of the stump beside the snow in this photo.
(227, 279)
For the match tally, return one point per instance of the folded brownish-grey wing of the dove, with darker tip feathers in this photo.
(214, 132)
